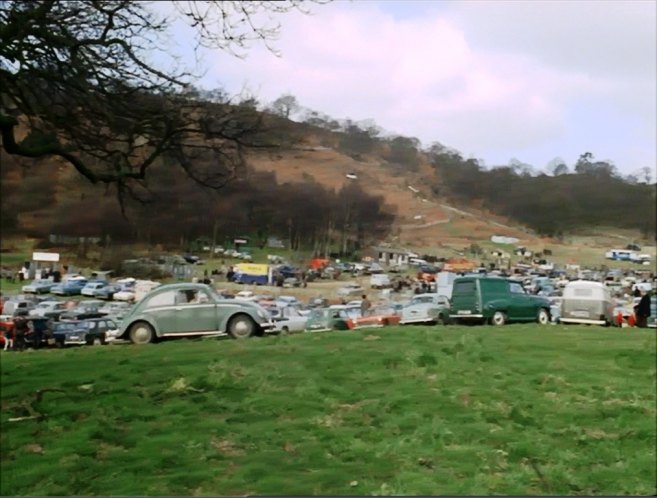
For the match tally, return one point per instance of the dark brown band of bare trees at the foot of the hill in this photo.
(305, 214)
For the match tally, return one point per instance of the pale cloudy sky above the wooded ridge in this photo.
(525, 80)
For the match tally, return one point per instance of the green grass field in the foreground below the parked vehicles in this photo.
(403, 411)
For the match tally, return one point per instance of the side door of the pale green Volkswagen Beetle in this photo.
(196, 312)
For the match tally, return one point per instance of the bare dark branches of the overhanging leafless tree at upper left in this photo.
(77, 84)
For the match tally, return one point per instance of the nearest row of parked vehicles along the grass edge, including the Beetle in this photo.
(192, 309)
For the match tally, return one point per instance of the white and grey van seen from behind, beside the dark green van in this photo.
(587, 302)
